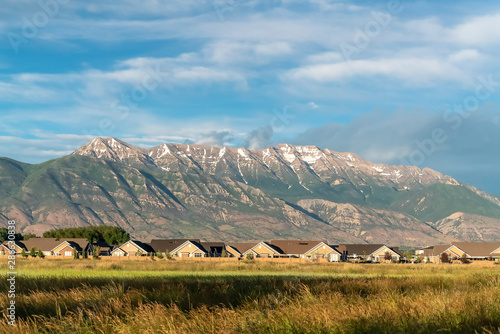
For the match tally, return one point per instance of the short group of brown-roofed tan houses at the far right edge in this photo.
(458, 250)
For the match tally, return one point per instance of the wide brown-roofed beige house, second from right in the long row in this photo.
(306, 249)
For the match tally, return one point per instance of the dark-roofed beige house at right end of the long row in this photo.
(367, 252)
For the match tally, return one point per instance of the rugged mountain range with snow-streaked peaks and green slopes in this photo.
(234, 194)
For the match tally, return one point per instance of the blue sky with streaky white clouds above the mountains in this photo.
(396, 82)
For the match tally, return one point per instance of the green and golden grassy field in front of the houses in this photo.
(65, 296)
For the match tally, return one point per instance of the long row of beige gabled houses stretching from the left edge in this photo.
(194, 248)
